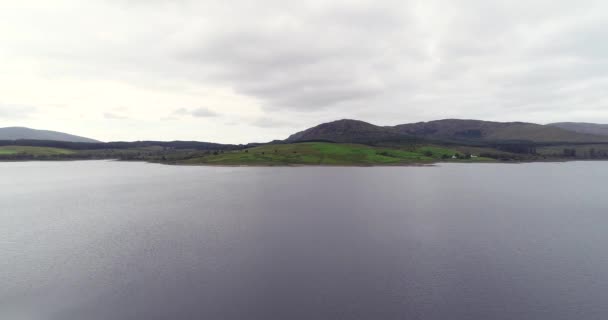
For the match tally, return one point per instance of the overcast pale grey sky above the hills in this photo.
(243, 71)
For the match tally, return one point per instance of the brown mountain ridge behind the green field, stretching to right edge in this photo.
(453, 130)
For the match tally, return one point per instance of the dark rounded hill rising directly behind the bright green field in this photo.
(347, 130)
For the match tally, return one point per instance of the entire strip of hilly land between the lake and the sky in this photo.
(342, 142)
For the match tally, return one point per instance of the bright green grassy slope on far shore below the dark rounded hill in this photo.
(320, 153)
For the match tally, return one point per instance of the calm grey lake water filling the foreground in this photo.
(112, 240)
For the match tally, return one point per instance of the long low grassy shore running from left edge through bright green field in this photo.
(309, 153)
